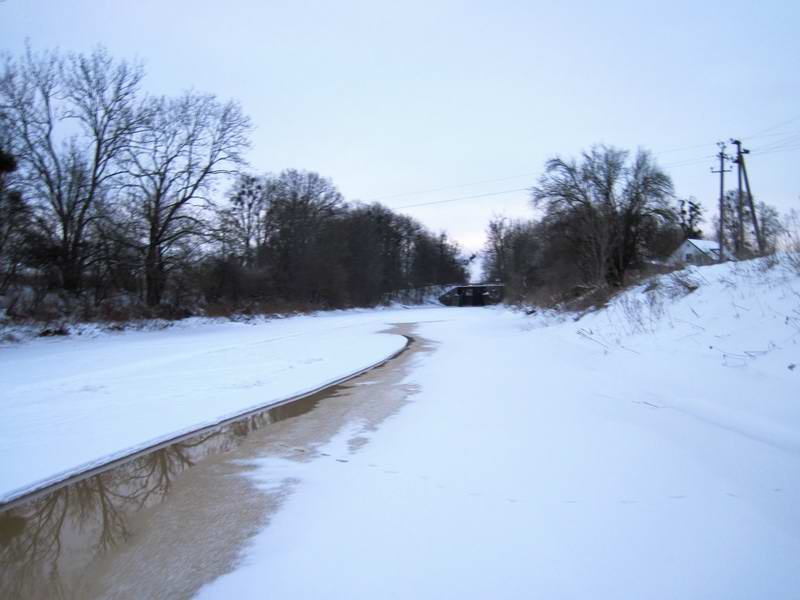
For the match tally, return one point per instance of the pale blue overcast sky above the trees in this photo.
(393, 98)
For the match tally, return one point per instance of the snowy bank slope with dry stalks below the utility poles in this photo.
(724, 339)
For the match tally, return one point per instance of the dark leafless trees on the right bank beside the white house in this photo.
(607, 218)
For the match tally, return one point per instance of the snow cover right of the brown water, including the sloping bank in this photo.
(648, 450)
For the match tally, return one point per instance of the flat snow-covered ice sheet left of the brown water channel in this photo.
(68, 404)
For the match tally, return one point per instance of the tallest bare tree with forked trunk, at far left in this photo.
(70, 119)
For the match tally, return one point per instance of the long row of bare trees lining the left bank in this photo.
(110, 204)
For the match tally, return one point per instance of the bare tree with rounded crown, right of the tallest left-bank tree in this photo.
(185, 146)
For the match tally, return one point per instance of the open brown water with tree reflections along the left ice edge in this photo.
(91, 516)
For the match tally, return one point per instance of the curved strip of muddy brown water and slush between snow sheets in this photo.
(163, 523)
